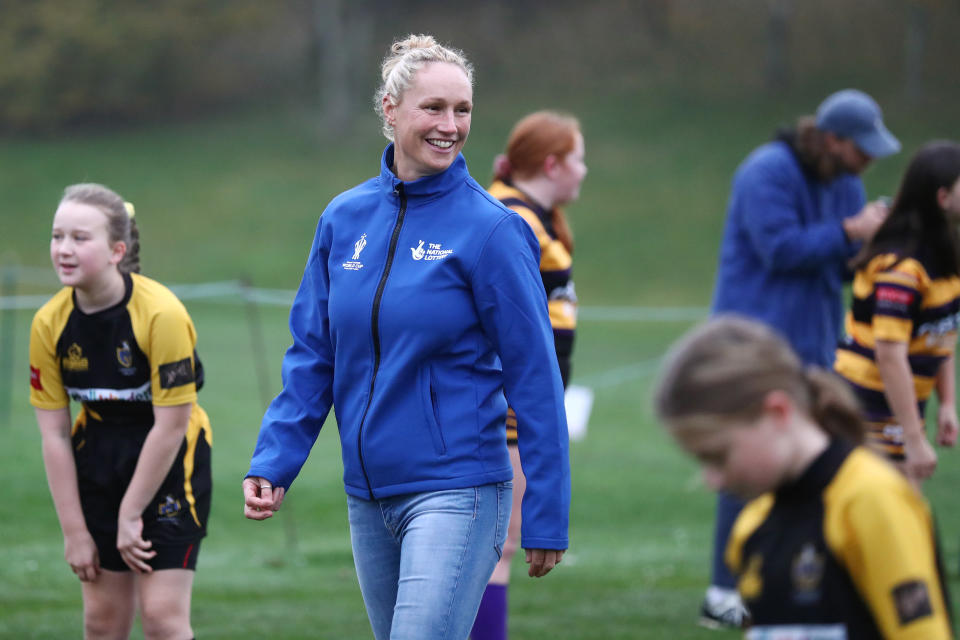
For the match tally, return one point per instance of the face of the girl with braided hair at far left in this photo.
(80, 246)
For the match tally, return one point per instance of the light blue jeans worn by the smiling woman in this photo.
(423, 559)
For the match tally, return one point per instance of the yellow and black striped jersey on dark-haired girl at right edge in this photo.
(897, 299)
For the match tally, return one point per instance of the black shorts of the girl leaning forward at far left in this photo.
(174, 519)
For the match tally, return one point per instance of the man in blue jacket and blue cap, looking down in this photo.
(797, 213)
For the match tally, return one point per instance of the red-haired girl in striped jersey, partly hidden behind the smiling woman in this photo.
(541, 170)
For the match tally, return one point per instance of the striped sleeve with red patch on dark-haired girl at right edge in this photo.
(897, 292)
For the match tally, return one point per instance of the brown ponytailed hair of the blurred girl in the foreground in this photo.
(725, 368)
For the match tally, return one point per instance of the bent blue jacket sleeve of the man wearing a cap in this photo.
(768, 201)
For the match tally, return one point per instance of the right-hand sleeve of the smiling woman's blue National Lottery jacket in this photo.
(513, 312)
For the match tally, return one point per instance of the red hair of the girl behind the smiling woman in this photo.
(533, 139)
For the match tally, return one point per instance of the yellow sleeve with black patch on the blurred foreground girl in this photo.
(888, 549)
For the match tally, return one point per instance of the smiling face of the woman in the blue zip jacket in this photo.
(432, 120)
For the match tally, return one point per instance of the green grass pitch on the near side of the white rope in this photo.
(640, 521)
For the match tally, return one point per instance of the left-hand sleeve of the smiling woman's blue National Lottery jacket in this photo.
(293, 420)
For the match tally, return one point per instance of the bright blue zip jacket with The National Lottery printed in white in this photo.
(421, 305)
